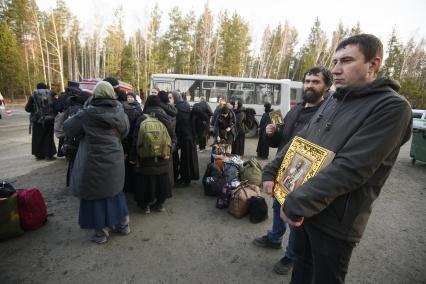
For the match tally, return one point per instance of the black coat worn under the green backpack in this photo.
(150, 166)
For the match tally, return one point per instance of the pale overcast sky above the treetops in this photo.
(376, 17)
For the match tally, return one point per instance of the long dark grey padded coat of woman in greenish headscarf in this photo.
(98, 170)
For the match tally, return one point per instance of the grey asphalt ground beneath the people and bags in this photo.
(193, 242)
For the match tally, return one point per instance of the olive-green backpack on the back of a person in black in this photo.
(153, 139)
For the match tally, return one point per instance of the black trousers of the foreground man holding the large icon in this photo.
(320, 258)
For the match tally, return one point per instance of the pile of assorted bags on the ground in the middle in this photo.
(235, 183)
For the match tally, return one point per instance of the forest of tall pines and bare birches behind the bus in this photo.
(51, 47)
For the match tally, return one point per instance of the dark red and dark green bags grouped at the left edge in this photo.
(20, 210)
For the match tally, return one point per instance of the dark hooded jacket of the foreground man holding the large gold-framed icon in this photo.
(365, 128)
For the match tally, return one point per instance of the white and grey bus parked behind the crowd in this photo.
(253, 92)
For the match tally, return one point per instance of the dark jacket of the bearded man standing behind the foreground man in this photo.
(294, 121)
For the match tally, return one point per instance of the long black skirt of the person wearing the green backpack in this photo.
(152, 189)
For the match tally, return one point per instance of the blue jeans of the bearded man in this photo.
(278, 229)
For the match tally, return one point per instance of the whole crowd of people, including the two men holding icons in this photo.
(364, 122)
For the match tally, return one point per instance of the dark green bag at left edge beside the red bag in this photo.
(10, 225)
